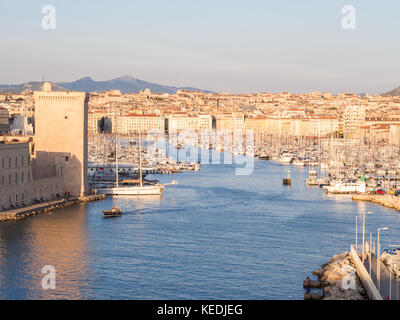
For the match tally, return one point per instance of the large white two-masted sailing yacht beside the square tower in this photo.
(140, 188)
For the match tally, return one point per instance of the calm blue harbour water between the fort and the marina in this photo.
(216, 235)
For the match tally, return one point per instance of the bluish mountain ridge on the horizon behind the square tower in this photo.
(125, 84)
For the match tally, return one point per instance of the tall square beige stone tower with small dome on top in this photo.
(61, 136)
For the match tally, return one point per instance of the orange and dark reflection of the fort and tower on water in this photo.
(53, 239)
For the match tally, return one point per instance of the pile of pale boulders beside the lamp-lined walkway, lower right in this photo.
(331, 277)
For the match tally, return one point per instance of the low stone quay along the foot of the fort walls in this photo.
(21, 213)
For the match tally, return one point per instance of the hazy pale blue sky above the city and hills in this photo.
(220, 45)
